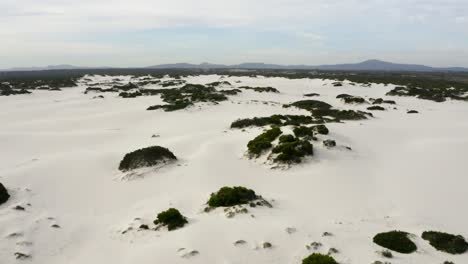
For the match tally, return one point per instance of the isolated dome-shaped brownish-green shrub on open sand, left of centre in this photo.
(146, 157)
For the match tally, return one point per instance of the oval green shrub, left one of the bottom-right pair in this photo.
(395, 240)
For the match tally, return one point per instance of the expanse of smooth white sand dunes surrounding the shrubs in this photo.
(60, 153)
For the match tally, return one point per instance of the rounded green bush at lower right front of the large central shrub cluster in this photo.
(292, 150)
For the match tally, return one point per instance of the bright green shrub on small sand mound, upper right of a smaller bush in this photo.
(229, 196)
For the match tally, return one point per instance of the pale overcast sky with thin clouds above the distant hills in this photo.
(145, 32)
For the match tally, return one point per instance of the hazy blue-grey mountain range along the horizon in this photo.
(369, 65)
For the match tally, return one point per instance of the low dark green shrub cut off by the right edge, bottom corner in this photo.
(449, 243)
